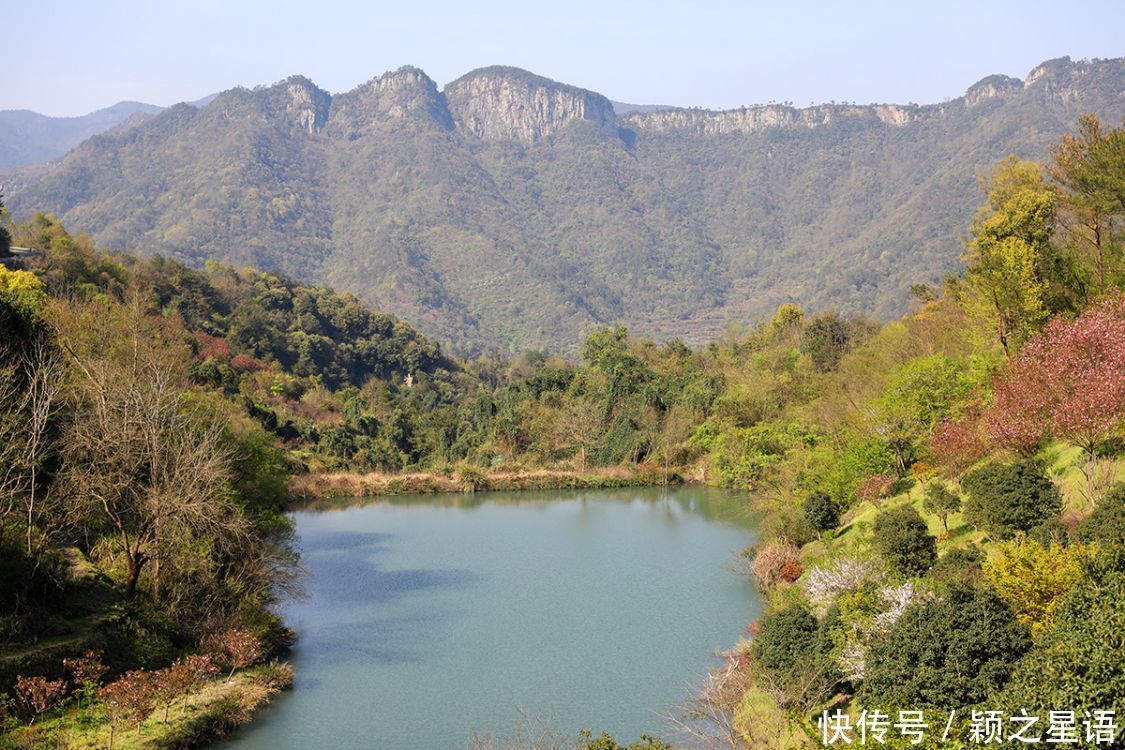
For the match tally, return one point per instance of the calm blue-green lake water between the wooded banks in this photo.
(429, 618)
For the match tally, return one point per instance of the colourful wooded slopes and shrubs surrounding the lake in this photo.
(942, 523)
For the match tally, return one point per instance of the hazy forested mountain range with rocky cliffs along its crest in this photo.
(509, 211)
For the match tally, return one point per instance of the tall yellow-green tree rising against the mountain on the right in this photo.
(1011, 265)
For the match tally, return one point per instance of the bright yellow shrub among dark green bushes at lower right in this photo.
(1034, 579)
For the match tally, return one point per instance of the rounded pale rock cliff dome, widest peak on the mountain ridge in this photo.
(510, 104)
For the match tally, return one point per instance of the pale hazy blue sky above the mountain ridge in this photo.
(73, 58)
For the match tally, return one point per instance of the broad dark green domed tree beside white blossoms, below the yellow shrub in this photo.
(946, 654)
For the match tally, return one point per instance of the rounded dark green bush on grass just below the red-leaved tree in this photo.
(1007, 499)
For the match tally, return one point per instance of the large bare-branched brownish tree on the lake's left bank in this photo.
(141, 462)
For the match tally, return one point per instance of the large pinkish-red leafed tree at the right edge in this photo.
(1069, 383)
